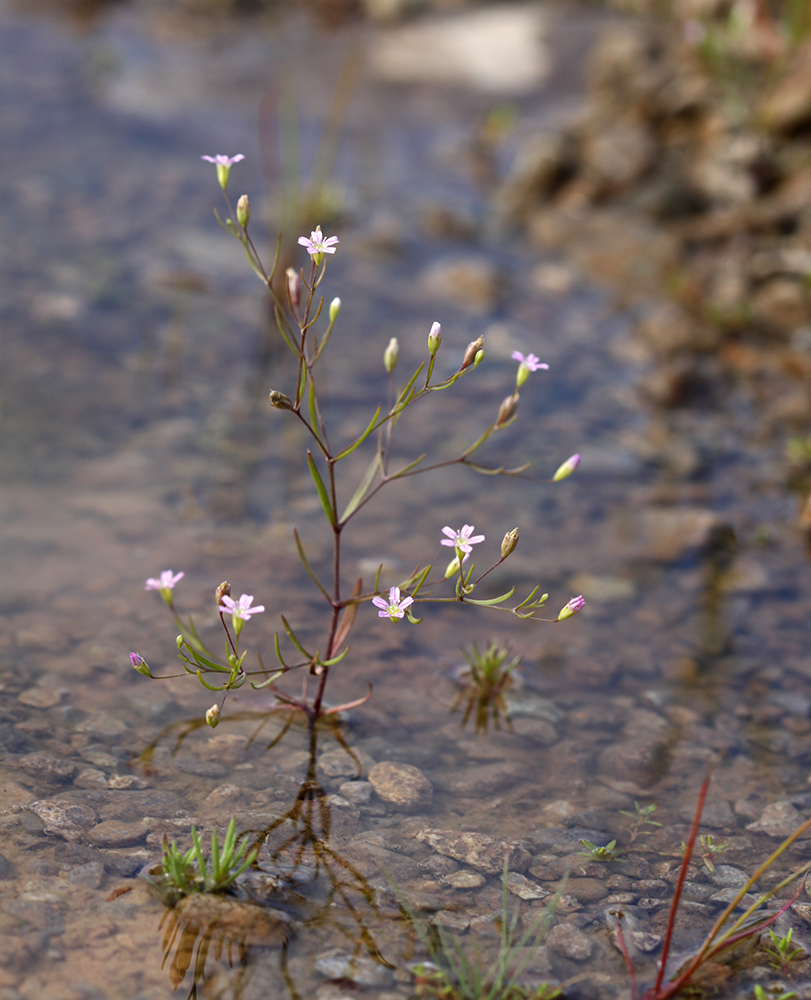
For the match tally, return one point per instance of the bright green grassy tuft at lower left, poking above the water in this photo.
(182, 874)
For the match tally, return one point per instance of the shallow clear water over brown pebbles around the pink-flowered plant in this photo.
(135, 437)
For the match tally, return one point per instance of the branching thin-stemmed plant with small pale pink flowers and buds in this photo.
(298, 308)
